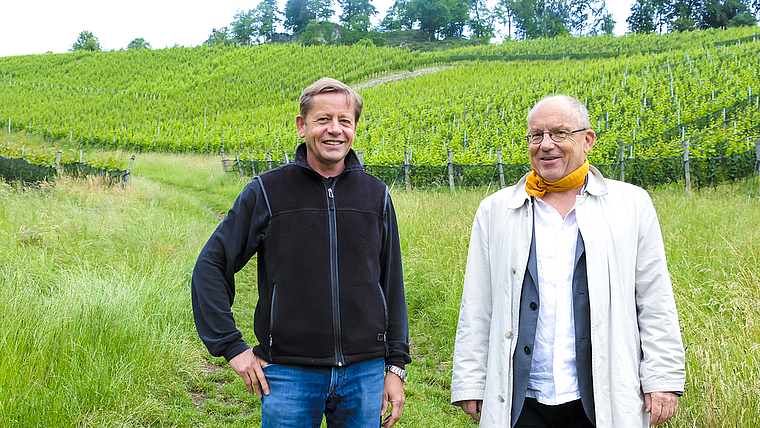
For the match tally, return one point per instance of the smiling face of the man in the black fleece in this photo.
(328, 128)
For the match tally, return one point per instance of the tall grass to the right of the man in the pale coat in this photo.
(712, 242)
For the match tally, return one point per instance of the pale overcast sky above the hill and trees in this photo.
(39, 26)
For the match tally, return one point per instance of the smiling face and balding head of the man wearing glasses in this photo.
(552, 160)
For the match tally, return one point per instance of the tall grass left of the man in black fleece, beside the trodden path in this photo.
(96, 326)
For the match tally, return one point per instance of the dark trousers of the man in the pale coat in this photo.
(568, 415)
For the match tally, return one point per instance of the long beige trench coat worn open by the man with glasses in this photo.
(635, 336)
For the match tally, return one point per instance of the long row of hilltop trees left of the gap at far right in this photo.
(438, 19)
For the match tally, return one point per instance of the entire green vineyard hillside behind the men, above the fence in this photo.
(646, 95)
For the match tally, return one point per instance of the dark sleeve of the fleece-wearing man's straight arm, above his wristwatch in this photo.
(392, 281)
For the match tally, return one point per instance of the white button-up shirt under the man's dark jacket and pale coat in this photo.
(553, 376)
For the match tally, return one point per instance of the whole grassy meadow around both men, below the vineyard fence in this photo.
(96, 327)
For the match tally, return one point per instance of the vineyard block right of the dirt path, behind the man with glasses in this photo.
(478, 106)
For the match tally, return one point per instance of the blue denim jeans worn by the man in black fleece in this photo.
(349, 396)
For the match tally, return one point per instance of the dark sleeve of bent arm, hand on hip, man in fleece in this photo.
(229, 248)
